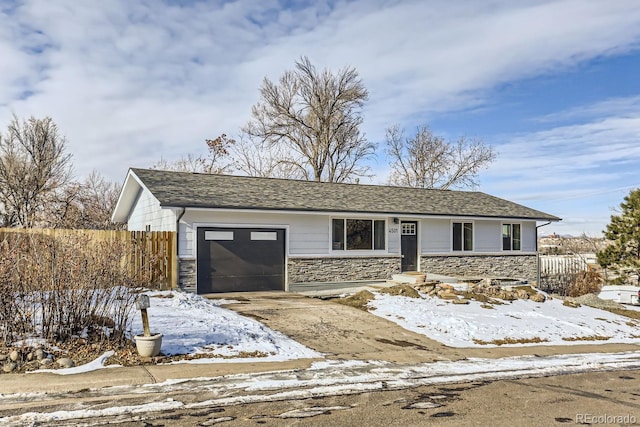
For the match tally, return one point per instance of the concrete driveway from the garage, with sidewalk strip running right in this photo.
(343, 332)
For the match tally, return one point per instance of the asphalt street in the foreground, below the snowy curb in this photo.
(596, 398)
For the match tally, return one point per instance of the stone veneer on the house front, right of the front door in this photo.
(511, 266)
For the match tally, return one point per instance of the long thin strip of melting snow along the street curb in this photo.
(332, 378)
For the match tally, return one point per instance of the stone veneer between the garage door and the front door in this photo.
(342, 269)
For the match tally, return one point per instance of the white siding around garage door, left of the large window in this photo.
(307, 234)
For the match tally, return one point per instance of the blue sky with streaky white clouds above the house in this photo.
(552, 86)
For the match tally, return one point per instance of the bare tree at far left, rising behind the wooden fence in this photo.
(33, 167)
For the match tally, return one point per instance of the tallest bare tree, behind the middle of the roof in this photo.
(314, 117)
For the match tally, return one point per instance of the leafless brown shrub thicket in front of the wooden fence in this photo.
(67, 286)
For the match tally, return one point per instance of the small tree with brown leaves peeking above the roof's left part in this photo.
(214, 163)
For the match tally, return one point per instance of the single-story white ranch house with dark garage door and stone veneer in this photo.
(238, 233)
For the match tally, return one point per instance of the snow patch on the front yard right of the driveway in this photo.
(472, 325)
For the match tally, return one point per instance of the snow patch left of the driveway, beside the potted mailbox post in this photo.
(193, 325)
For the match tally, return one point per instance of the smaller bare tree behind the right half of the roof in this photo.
(429, 161)
